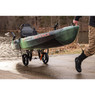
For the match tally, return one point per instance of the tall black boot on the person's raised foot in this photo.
(78, 61)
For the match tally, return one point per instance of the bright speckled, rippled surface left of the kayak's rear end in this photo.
(5, 48)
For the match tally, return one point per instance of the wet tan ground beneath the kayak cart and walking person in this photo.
(59, 67)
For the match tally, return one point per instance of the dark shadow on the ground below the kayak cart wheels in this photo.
(35, 72)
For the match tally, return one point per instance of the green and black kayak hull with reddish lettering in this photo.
(56, 38)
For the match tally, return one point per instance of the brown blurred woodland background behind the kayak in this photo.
(44, 24)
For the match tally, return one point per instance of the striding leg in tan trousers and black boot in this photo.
(88, 51)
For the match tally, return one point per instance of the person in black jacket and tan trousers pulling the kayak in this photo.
(90, 50)
